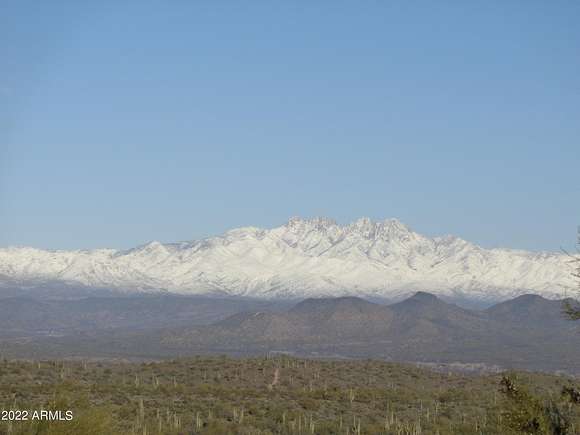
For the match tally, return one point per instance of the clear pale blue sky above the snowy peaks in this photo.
(125, 122)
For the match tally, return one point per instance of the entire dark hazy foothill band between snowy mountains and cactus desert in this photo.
(527, 332)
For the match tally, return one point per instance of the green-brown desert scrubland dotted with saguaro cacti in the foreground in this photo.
(282, 395)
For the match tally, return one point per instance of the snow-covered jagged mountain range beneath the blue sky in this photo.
(304, 257)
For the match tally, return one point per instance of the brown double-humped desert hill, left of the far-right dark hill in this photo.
(344, 320)
